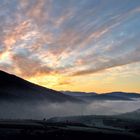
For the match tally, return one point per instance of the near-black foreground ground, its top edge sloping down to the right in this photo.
(38, 130)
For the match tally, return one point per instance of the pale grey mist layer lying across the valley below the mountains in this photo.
(17, 110)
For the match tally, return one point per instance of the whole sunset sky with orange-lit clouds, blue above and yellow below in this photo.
(77, 45)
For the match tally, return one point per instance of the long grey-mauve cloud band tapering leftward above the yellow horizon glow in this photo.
(129, 58)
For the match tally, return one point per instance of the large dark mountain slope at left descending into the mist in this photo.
(16, 88)
